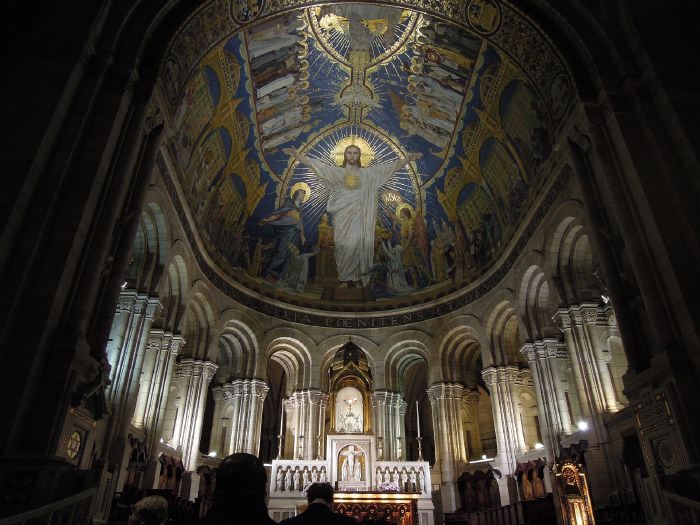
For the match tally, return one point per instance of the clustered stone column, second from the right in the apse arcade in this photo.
(546, 358)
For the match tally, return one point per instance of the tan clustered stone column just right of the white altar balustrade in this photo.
(445, 400)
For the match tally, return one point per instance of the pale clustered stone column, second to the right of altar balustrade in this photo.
(509, 439)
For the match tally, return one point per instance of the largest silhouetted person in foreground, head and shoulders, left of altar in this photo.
(239, 493)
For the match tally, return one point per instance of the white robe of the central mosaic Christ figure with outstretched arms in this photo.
(354, 211)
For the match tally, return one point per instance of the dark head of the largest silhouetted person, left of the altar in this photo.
(240, 472)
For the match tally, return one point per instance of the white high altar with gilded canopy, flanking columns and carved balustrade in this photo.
(357, 448)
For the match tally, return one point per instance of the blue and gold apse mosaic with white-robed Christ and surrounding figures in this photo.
(359, 154)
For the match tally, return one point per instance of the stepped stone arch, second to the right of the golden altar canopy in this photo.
(459, 351)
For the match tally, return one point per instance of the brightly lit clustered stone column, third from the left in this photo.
(196, 375)
